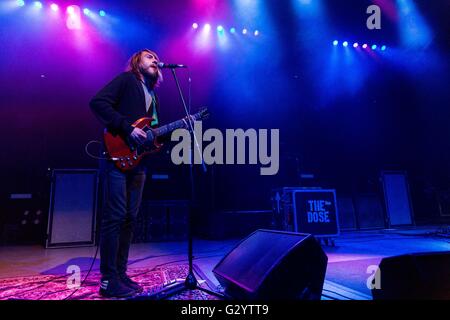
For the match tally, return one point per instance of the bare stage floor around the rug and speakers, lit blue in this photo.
(346, 275)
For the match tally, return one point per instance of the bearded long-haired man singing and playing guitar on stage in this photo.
(120, 103)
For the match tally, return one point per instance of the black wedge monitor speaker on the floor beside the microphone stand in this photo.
(274, 265)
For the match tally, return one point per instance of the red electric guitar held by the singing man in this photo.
(127, 155)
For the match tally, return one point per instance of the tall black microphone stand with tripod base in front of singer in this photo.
(190, 283)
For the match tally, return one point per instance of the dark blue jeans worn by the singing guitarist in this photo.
(122, 199)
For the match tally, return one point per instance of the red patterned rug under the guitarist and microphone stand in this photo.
(60, 287)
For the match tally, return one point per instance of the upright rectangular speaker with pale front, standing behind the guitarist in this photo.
(72, 210)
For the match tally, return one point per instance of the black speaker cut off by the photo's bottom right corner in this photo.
(414, 276)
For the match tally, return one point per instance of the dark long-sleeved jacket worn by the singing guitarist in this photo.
(120, 103)
